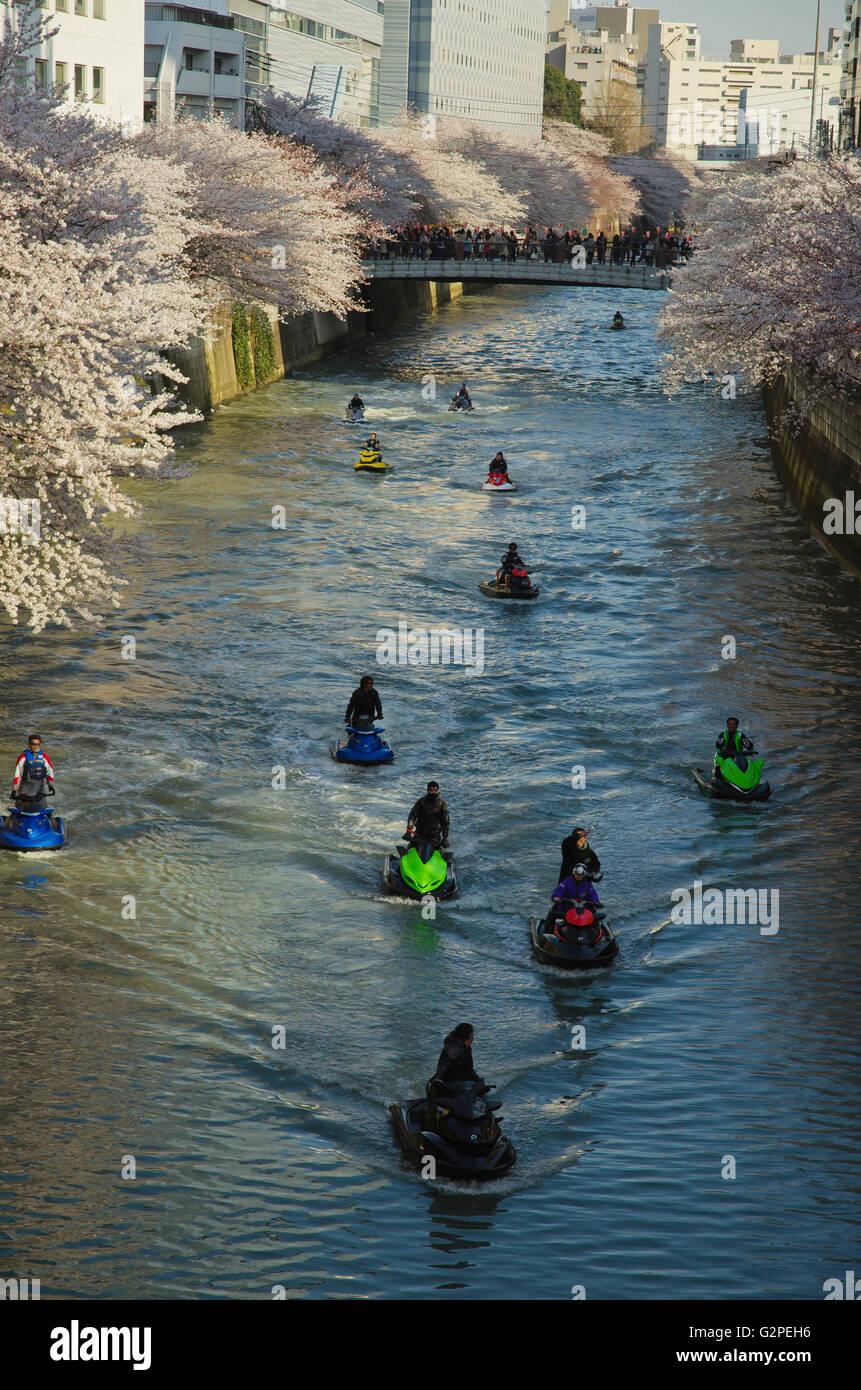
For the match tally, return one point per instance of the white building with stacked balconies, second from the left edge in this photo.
(194, 60)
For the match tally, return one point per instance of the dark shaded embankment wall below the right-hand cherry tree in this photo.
(823, 461)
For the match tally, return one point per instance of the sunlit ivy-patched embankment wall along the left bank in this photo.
(251, 348)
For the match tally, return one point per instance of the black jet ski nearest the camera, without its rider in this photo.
(458, 1129)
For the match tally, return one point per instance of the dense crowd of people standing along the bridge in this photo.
(415, 241)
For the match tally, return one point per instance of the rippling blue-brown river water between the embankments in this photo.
(259, 907)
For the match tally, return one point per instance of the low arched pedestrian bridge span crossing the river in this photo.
(522, 273)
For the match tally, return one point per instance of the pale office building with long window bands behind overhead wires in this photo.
(329, 49)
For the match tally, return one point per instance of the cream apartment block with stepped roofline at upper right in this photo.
(692, 105)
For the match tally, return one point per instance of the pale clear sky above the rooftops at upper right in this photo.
(791, 22)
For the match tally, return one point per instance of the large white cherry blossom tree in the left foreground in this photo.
(92, 286)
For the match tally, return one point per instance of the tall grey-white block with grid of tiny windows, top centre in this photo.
(481, 60)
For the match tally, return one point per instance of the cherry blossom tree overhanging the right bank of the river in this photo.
(775, 283)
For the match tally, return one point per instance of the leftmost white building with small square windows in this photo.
(97, 58)
